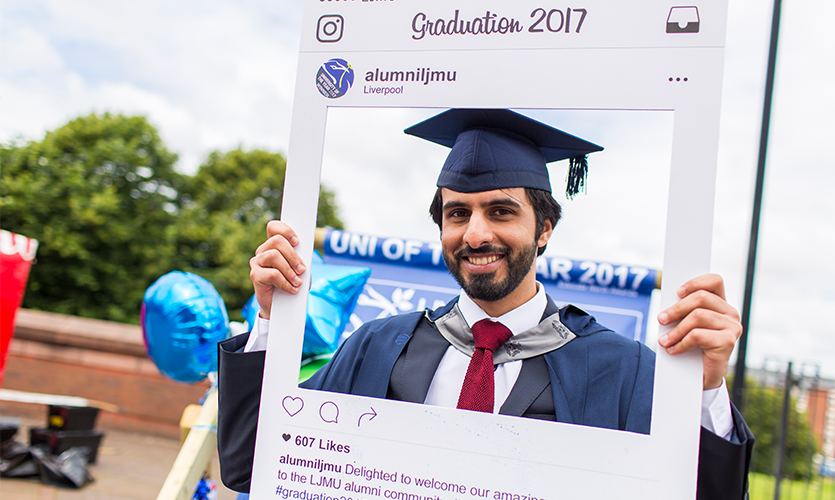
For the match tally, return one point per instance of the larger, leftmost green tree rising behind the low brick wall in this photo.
(100, 196)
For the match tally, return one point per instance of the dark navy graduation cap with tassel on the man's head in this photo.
(499, 148)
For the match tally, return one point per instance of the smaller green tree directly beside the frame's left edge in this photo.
(226, 206)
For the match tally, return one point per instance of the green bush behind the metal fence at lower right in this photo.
(763, 410)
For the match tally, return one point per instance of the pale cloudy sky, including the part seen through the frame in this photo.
(215, 75)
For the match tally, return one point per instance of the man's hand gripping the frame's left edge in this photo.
(276, 265)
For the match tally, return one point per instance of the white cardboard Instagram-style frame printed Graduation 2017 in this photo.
(600, 56)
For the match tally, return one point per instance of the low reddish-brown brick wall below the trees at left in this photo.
(99, 360)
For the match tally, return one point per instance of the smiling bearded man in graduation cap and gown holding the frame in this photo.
(503, 346)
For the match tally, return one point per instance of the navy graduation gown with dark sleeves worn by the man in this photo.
(599, 379)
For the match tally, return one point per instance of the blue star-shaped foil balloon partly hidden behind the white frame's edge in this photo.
(334, 291)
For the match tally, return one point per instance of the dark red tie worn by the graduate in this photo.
(477, 393)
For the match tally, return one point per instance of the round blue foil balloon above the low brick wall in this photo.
(183, 318)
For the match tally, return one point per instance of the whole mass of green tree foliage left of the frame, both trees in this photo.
(112, 215)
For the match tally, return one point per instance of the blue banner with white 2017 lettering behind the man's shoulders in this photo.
(409, 275)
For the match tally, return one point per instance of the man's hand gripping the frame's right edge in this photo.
(706, 321)
